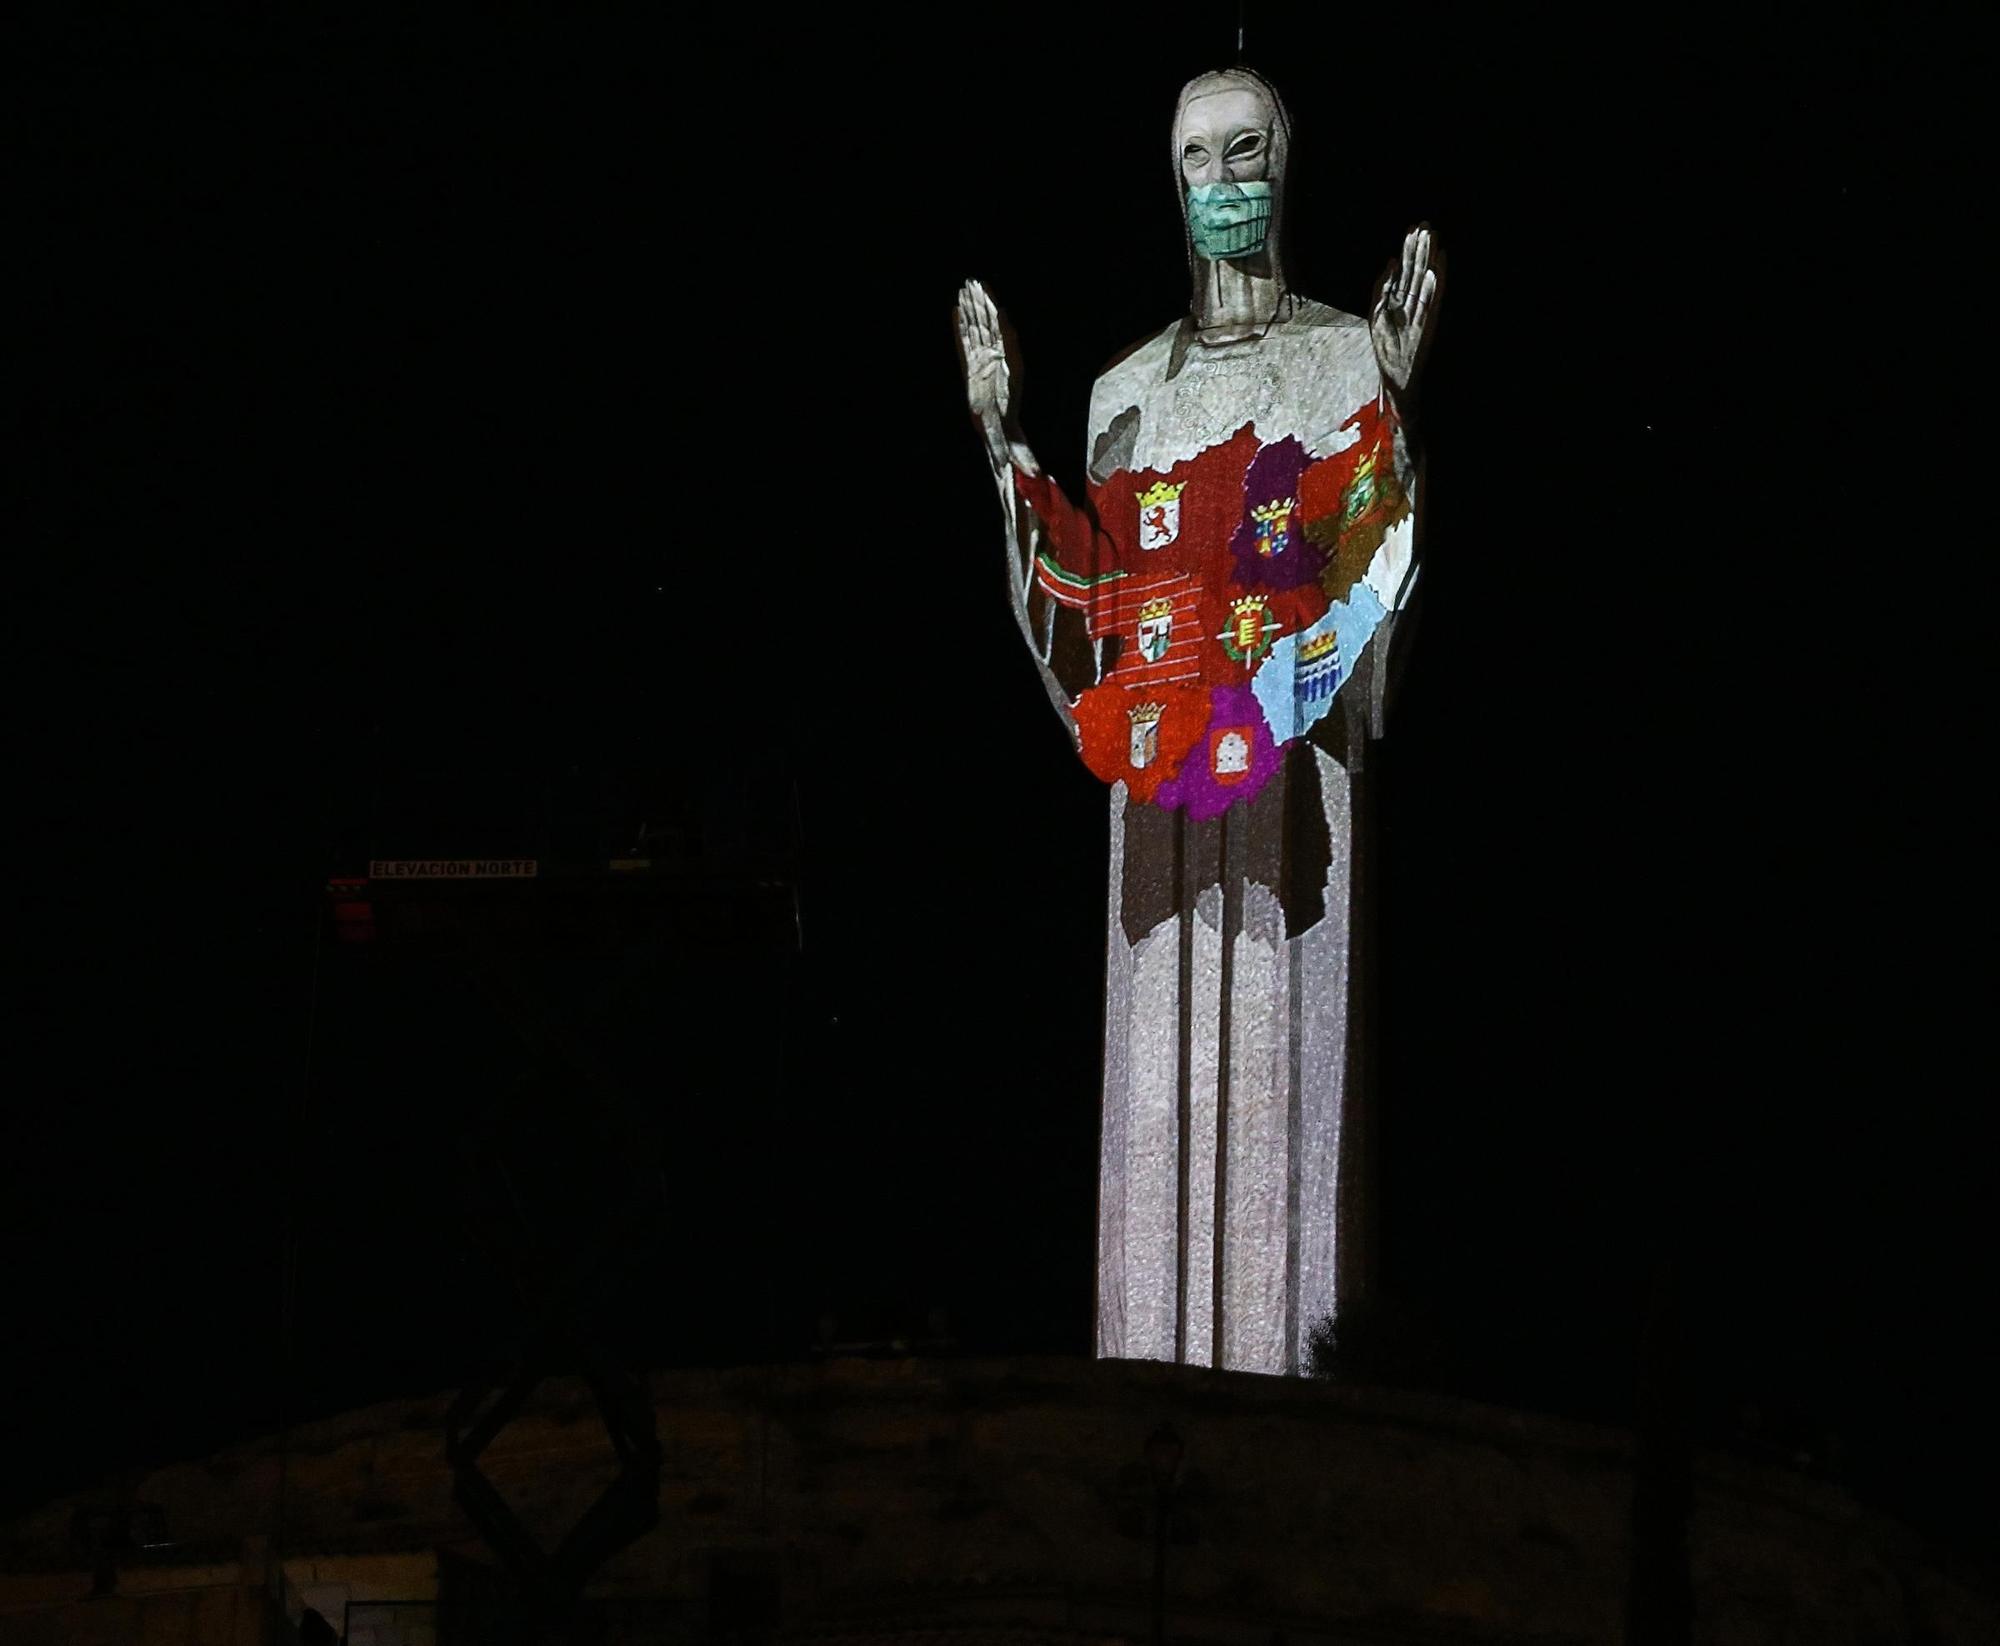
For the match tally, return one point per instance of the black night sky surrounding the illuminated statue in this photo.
(579, 397)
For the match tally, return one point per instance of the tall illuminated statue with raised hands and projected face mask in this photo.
(1215, 629)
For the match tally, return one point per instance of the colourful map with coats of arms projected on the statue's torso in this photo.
(1195, 577)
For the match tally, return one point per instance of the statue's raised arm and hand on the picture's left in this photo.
(1039, 519)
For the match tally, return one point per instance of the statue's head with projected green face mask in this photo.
(1231, 141)
